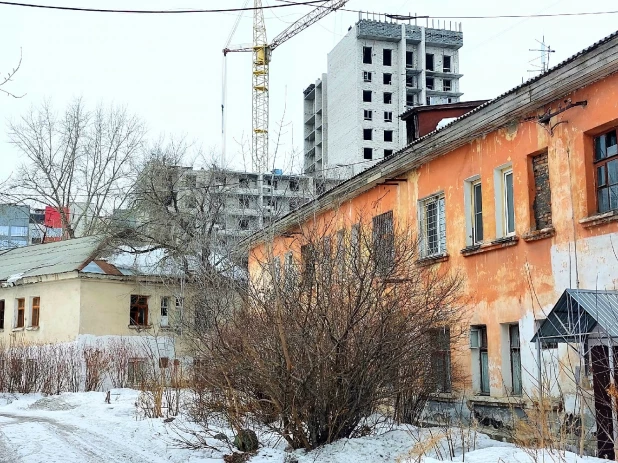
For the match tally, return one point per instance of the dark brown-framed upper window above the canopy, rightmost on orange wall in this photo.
(606, 167)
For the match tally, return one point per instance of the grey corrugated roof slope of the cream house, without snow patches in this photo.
(47, 259)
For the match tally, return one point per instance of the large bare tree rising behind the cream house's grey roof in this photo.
(77, 159)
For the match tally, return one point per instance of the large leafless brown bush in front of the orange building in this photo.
(322, 343)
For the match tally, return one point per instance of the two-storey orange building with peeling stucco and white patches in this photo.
(521, 196)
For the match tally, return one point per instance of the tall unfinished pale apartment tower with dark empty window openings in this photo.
(375, 73)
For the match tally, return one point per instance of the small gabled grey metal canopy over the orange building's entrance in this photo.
(578, 312)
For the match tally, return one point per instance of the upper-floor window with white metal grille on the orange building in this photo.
(432, 226)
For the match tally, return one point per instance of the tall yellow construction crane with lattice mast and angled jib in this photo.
(262, 52)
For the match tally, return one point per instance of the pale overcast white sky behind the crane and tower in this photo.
(167, 68)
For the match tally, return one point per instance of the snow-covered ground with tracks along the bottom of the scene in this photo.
(81, 428)
